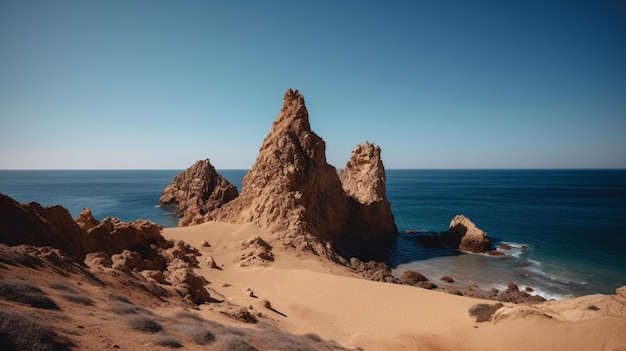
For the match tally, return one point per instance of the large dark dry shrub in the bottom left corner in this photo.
(20, 331)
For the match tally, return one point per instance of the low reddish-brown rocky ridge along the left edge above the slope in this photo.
(131, 247)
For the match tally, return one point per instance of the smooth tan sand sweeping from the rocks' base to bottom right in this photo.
(311, 295)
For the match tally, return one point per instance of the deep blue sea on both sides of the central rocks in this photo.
(566, 228)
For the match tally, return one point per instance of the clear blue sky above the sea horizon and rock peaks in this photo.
(437, 84)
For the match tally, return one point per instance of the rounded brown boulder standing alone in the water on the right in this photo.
(464, 234)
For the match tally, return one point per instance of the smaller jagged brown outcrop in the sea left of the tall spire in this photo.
(196, 191)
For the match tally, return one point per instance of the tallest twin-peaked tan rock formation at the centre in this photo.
(292, 191)
